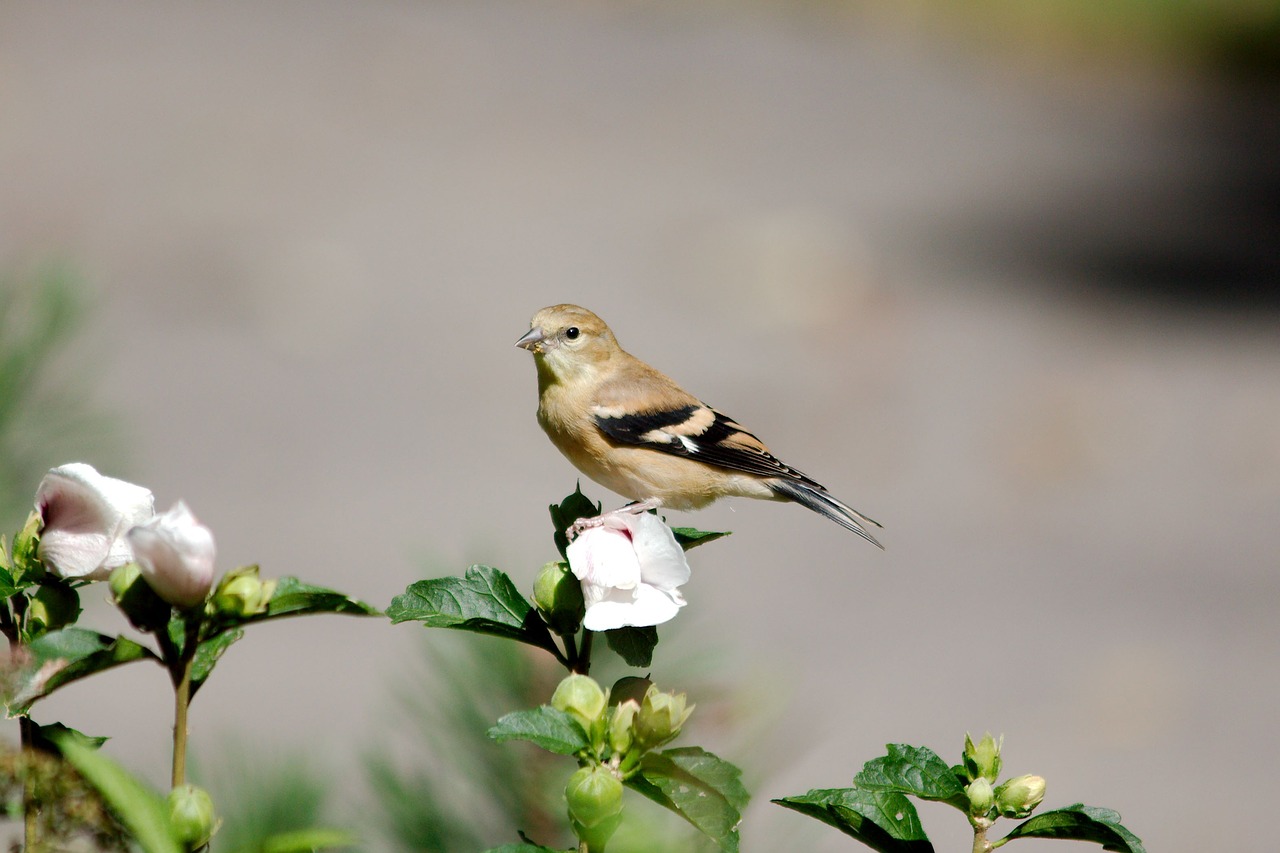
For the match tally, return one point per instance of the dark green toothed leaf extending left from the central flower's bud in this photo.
(484, 601)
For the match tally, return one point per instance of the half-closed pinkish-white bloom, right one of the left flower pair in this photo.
(176, 554)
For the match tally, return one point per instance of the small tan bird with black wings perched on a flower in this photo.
(634, 431)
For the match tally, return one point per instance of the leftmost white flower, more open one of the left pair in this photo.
(86, 518)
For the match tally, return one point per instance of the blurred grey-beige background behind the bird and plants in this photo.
(1003, 276)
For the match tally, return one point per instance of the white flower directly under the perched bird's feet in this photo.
(632, 568)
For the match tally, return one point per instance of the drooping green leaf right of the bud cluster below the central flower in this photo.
(700, 787)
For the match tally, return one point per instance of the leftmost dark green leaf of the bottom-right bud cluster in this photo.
(885, 822)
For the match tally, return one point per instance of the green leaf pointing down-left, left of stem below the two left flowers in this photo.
(66, 656)
